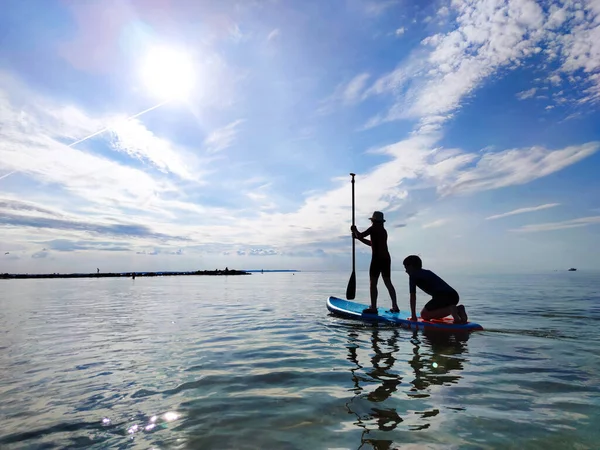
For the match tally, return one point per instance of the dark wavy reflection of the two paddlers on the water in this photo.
(392, 374)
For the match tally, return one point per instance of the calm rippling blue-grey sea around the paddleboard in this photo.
(256, 362)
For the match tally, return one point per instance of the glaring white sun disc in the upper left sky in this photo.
(168, 73)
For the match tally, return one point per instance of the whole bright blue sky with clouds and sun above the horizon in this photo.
(142, 135)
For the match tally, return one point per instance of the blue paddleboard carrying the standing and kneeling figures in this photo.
(353, 310)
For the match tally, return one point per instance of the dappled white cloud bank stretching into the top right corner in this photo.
(490, 35)
